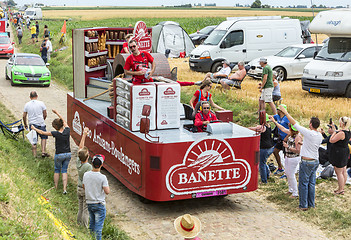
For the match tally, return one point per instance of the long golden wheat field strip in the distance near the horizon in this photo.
(99, 14)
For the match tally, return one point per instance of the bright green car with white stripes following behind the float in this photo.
(27, 68)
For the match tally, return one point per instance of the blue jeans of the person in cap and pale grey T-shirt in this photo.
(97, 214)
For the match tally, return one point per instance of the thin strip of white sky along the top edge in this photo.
(178, 2)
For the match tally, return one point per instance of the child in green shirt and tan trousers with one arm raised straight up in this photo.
(82, 166)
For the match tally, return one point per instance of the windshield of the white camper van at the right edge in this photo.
(336, 49)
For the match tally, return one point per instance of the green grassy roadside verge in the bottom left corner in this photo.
(23, 179)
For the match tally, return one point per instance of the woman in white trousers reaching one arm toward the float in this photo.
(292, 144)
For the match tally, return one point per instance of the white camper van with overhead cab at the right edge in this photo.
(330, 71)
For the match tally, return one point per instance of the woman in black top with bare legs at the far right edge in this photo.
(339, 152)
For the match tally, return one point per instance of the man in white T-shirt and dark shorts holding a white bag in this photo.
(36, 112)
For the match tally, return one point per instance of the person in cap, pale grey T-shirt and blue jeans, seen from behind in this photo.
(96, 188)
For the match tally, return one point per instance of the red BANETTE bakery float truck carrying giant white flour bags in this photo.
(180, 164)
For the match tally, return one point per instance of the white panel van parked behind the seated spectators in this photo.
(243, 39)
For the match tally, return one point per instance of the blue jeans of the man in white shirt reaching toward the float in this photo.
(307, 183)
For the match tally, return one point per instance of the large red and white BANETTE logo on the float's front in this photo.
(208, 165)
